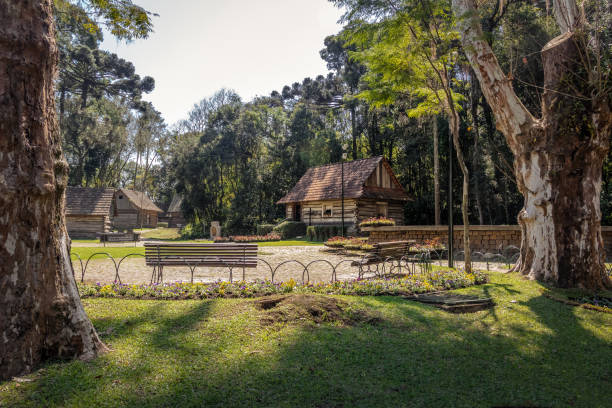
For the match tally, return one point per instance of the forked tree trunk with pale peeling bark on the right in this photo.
(557, 159)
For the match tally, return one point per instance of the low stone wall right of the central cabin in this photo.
(482, 237)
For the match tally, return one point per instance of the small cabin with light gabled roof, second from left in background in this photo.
(134, 209)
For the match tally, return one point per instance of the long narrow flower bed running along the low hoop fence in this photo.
(438, 280)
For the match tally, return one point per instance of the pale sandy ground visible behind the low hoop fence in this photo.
(295, 258)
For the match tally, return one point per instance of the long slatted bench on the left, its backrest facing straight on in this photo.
(231, 255)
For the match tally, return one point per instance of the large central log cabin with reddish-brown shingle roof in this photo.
(370, 190)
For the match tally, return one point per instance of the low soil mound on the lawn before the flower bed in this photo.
(304, 309)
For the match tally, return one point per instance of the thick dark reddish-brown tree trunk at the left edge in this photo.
(41, 313)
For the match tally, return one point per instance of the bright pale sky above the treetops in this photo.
(251, 46)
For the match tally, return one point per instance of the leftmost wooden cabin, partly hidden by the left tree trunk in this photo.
(88, 211)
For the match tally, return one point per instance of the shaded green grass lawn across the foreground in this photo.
(527, 351)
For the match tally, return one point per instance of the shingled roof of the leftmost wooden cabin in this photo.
(88, 201)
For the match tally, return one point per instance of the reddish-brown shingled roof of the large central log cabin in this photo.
(324, 183)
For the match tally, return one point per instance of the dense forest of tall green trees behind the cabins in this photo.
(233, 159)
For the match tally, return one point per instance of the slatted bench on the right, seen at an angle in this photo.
(394, 252)
